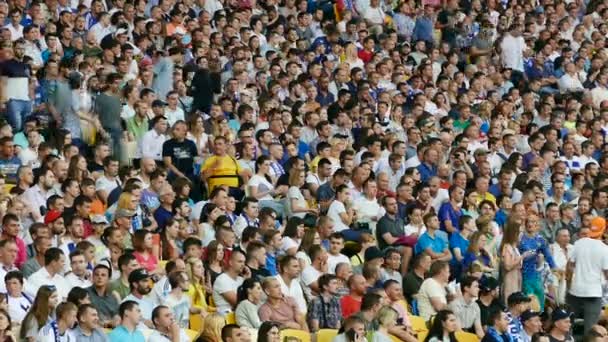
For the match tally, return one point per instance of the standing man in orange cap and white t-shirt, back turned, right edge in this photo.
(587, 269)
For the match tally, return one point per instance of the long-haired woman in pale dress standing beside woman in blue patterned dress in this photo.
(510, 259)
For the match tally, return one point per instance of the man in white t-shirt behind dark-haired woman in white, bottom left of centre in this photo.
(224, 288)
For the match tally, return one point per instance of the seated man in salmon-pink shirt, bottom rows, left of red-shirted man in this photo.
(280, 308)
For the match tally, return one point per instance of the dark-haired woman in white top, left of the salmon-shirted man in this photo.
(249, 297)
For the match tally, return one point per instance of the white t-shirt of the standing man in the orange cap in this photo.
(591, 260)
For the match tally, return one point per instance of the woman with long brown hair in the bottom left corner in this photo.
(40, 313)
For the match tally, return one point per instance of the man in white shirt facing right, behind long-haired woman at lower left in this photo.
(54, 263)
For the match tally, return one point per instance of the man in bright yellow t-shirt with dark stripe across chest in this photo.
(222, 169)
